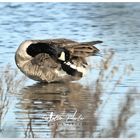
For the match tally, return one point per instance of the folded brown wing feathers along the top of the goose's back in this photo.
(78, 49)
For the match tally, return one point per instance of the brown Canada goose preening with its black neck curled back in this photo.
(54, 59)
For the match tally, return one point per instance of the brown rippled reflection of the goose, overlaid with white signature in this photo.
(57, 110)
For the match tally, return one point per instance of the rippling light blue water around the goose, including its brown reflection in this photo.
(118, 26)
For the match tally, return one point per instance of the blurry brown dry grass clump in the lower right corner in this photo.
(119, 126)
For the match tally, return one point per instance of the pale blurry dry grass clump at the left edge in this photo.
(10, 83)
